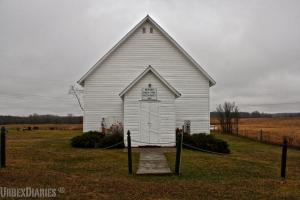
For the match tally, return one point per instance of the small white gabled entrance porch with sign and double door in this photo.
(149, 110)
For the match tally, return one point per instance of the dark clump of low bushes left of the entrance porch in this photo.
(95, 139)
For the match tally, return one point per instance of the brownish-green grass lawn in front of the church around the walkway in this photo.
(46, 159)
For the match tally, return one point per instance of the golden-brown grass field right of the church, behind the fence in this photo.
(273, 129)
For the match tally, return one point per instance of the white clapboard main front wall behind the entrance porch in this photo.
(102, 87)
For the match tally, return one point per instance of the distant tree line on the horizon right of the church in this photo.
(257, 114)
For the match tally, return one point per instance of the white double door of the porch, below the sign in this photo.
(149, 123)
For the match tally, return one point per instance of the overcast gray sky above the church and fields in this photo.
(251, 48)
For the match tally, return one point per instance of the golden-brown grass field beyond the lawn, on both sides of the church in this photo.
(273, 129)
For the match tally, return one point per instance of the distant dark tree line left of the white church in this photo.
(40, 119)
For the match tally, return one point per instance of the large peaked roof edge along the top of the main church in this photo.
(149, 19)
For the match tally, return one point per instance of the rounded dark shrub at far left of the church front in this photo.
(87, 140)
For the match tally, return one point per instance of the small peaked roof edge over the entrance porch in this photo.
(150, 69)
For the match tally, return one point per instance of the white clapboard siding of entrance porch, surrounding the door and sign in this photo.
(166, 98)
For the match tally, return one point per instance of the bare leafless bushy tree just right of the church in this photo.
(228, 116)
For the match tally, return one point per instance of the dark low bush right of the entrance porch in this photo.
(206, 142)
